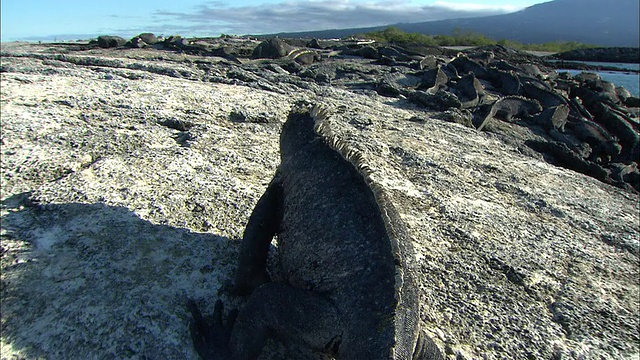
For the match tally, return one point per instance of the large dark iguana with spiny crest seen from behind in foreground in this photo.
(344, 255)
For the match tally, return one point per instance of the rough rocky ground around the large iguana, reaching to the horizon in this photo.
(129, 173)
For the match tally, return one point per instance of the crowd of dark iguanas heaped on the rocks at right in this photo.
(587, 123)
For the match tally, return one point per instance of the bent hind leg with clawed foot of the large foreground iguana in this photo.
(274, 310)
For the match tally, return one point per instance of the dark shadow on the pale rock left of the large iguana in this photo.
(97, 281)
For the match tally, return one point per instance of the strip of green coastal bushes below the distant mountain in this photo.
(459, 37)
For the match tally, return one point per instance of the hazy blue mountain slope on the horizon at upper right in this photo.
(598, 22)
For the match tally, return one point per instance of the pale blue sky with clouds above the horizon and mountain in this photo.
(82, 19)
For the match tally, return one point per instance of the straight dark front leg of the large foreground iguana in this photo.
(263, 224)
